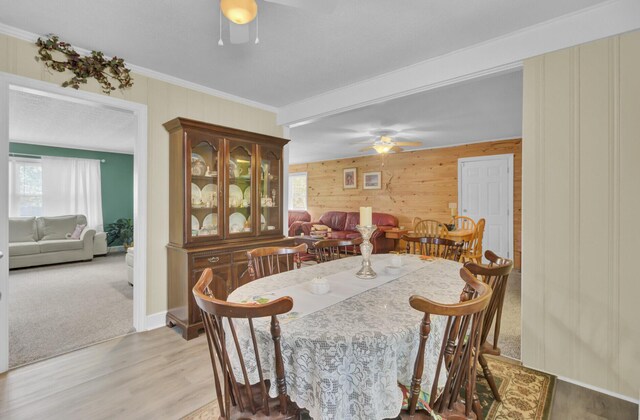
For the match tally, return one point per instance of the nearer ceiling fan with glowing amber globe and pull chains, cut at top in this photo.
(239, 13)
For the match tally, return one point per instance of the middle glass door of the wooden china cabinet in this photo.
(239, 189)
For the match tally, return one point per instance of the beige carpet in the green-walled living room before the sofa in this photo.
(60, 308)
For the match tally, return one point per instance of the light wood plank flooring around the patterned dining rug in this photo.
(158, 375)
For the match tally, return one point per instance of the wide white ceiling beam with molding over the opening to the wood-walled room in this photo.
(495, 56)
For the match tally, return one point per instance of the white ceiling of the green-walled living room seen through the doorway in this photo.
(39, 118)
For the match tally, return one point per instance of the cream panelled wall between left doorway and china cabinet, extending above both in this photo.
(165, 101)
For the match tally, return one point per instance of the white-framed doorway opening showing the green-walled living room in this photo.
(73, 158)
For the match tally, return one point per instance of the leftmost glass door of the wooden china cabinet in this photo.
(204, 195)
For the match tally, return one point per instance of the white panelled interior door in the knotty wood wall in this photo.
(485, 190)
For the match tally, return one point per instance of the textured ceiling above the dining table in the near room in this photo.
(301, 53)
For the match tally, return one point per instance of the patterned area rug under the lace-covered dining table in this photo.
(526, 394)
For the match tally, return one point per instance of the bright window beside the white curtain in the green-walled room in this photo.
(25, 187)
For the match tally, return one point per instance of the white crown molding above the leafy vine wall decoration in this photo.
(143, 71)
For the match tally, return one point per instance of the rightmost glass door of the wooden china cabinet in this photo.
(269, 191)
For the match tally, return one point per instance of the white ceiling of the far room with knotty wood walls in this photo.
(479, 110)
